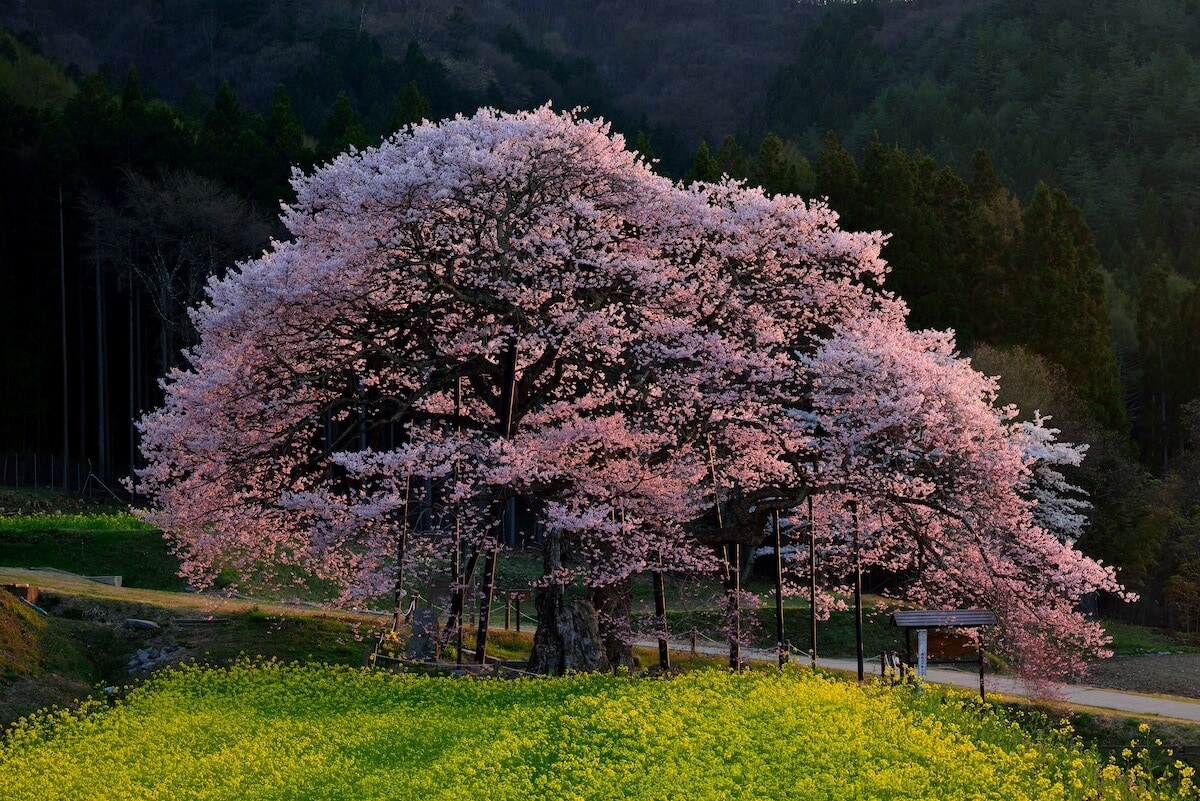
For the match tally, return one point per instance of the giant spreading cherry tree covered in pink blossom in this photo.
(513, 306)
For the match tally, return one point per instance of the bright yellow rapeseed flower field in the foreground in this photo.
(271, 731)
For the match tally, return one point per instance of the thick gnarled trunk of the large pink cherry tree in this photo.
(568, 637)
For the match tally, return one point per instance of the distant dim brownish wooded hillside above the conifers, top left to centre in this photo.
(700, 64)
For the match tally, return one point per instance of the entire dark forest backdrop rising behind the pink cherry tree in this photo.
(1035, 165)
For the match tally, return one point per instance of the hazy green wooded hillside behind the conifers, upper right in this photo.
(1100, 99)
